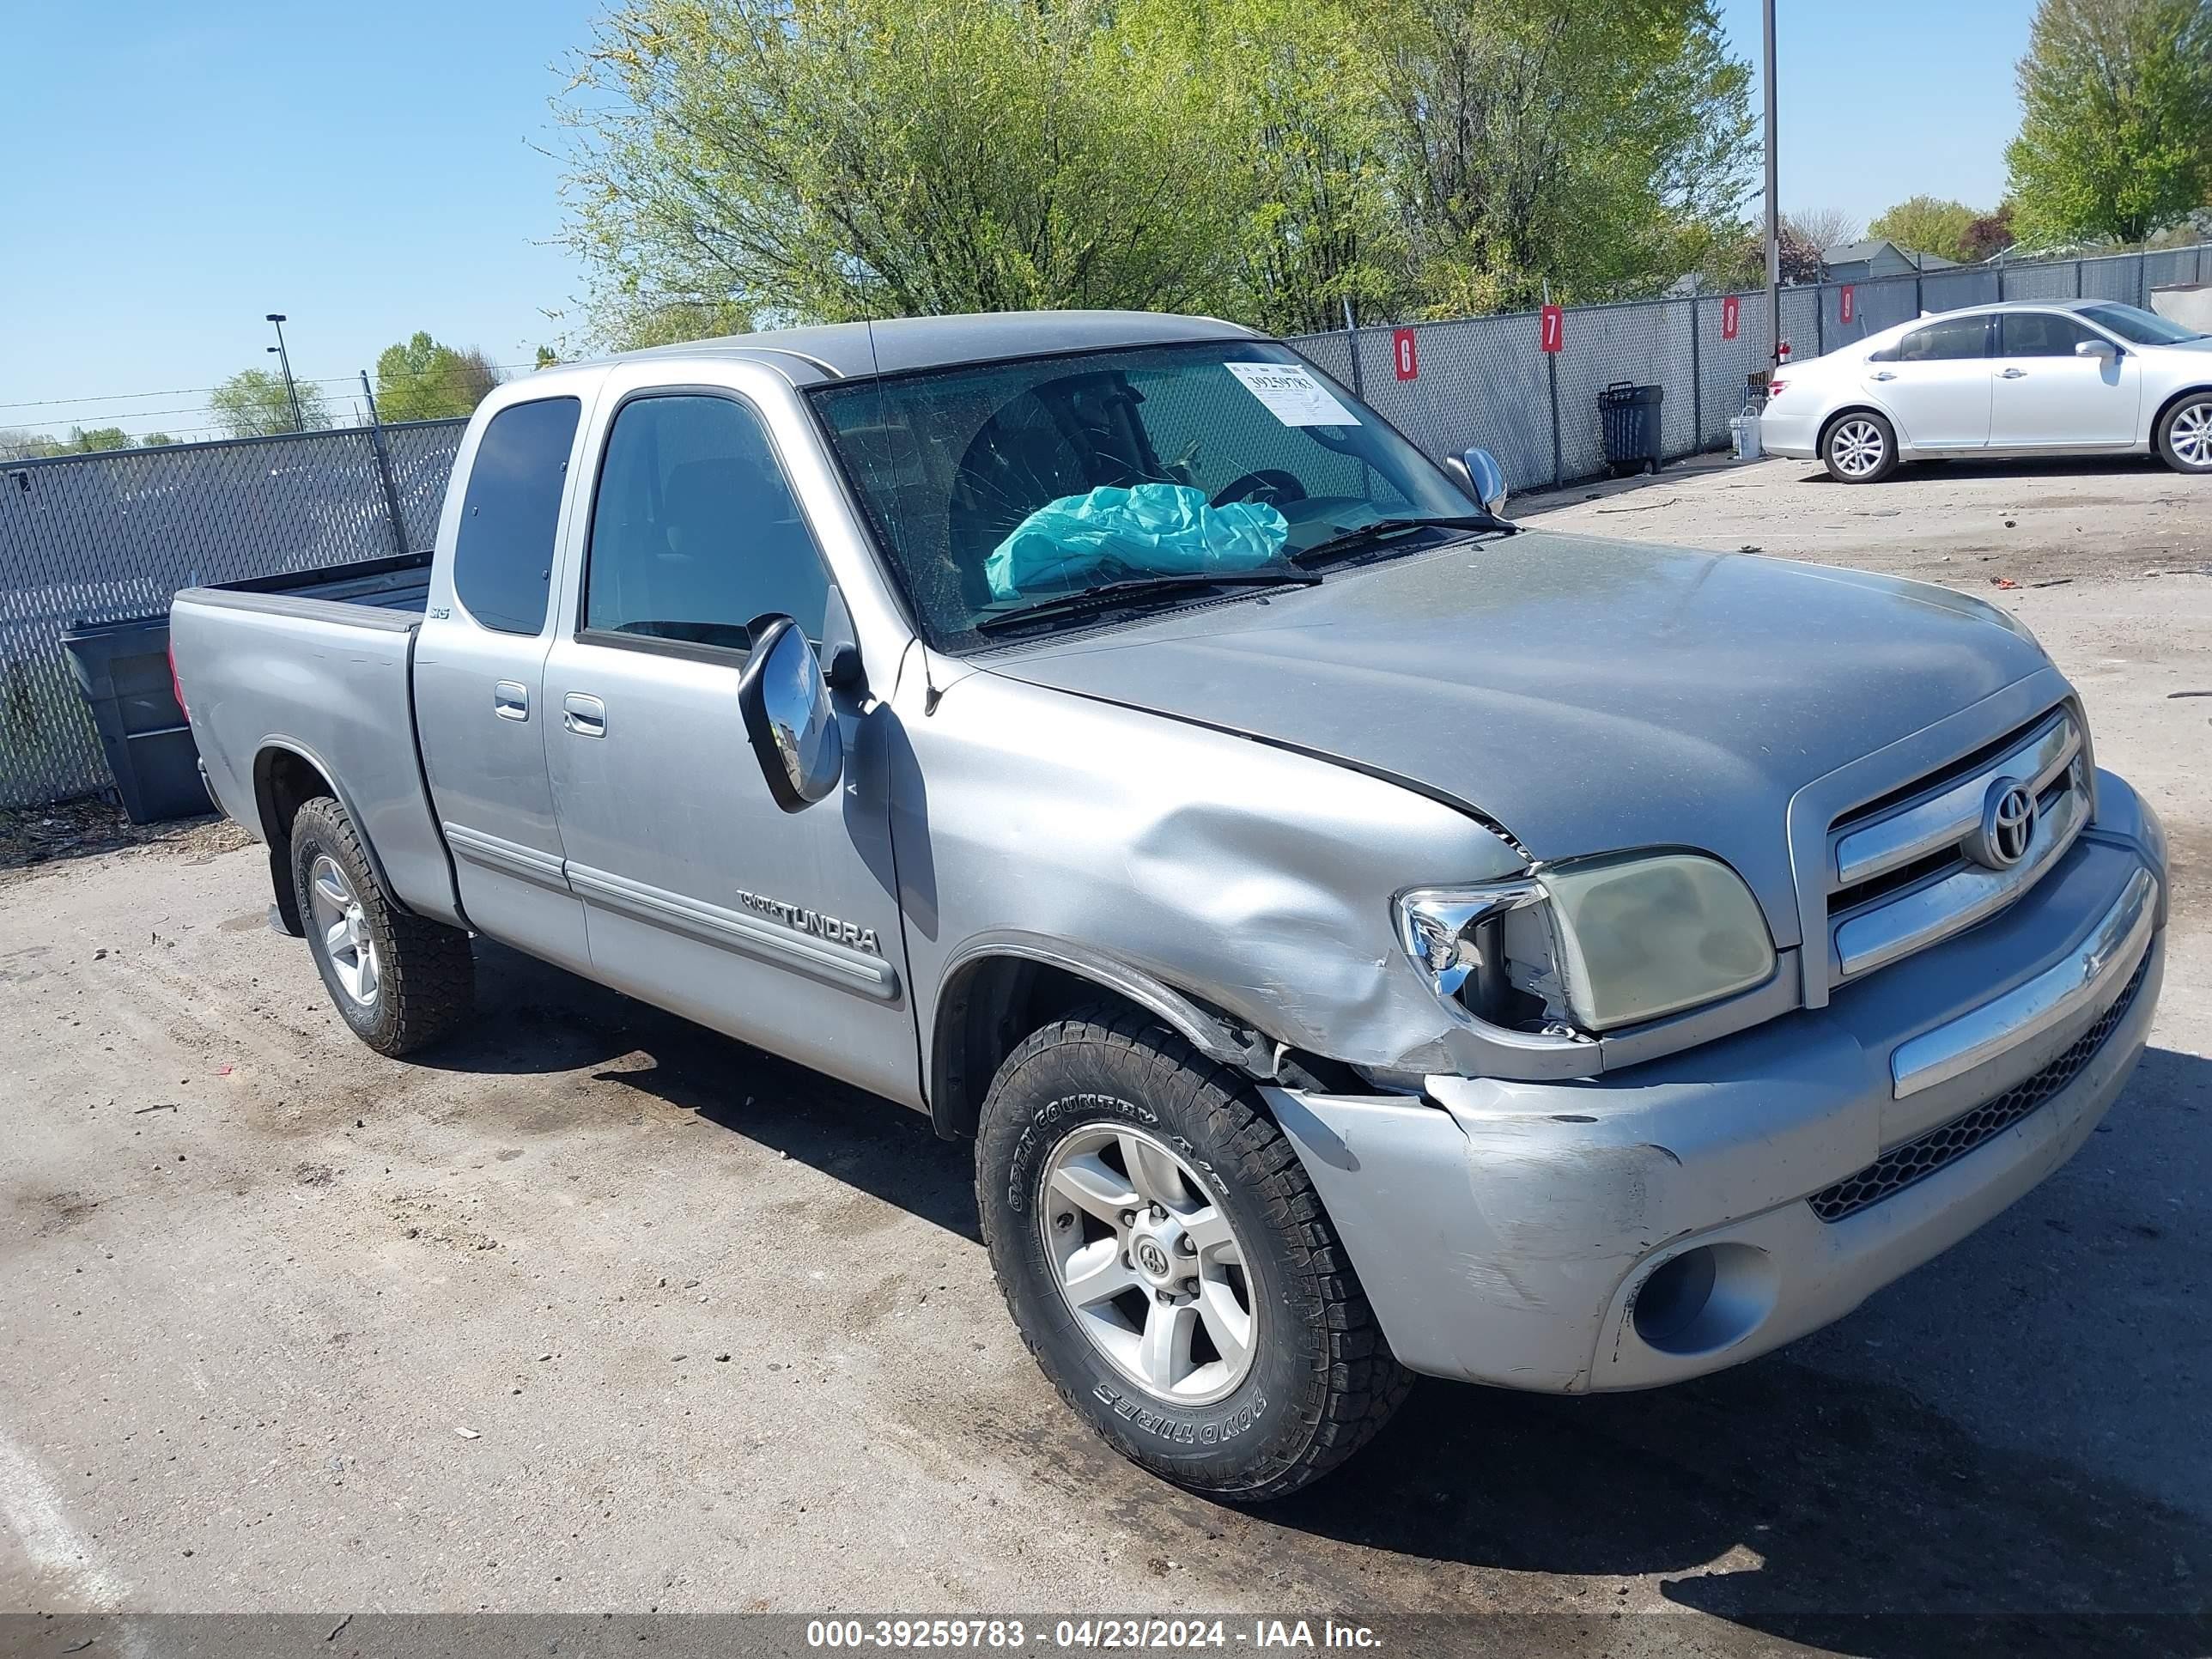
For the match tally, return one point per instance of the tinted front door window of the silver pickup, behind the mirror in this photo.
(696, 530)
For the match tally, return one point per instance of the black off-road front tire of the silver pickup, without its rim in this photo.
(1322, 1379)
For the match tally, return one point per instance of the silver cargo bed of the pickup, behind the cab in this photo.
(320, 667)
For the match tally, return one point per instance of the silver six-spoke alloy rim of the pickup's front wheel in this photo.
(1149, 1264)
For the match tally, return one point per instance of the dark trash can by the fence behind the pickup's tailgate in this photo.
(123, 671)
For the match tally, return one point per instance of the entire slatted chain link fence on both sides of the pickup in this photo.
(92, 539)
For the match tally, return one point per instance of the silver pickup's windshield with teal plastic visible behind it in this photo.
(1001, 486)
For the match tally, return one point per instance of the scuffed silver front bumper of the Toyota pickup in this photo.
(1698, 1211)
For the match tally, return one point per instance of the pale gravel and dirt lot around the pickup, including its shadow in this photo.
(596, 1311)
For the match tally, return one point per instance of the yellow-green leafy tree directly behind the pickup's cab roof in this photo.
(862, 158)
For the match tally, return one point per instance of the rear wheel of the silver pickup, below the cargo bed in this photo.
(399, 981)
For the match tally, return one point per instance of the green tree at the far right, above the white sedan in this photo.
(2116, 121)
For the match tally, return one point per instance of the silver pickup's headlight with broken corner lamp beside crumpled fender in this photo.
(1592, 946)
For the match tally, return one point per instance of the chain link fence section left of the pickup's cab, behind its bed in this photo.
(96, 539)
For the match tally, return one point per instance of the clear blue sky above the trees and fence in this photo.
(176, 171)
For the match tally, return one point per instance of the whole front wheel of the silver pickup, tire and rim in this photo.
(1169, 1262)
